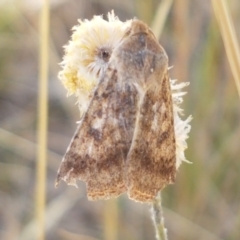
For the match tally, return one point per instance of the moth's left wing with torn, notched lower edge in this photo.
(99, 148)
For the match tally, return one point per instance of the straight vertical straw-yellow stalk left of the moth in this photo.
(42, 122)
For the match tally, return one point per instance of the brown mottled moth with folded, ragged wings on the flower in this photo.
(126, 141)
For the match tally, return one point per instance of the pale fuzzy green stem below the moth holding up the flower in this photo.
(158, 219)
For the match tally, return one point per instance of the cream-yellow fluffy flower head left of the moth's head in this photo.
(86, 55)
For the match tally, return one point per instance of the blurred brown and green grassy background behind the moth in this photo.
(204, 203)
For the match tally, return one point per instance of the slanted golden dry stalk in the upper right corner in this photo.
(229, 38)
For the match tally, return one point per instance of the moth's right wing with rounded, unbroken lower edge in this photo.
(153, 154)
